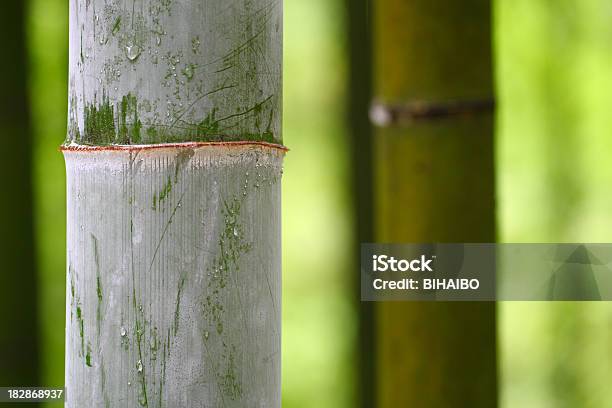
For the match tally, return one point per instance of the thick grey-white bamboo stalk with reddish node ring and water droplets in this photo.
(174, 160)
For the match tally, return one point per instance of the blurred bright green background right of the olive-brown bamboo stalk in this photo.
(554, 76)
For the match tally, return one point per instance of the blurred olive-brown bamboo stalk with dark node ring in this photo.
(435, 183)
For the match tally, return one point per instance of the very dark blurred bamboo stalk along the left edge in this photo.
(18, 298)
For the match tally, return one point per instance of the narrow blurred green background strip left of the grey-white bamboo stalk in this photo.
(48, 50)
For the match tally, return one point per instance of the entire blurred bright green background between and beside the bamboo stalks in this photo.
(554, 73)
